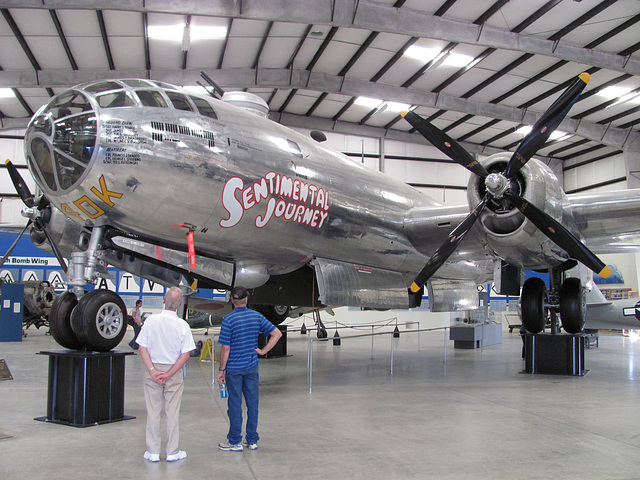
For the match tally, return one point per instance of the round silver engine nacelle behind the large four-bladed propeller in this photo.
(505, 230)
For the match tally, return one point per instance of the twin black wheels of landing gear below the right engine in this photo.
(538, 306)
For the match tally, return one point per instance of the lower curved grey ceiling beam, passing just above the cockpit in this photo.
(313, 81)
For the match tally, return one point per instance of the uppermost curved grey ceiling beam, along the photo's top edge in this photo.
(365, 14)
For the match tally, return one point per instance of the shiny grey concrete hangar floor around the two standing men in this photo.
(474, 416)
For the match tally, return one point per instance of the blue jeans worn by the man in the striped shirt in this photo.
(242, 382)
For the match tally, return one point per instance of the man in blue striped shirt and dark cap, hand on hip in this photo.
(239, 367)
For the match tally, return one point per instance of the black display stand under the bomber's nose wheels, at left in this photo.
(85, 388)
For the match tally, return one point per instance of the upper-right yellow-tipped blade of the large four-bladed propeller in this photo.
(545, 125)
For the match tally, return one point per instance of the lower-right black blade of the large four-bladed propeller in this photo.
(560, 235)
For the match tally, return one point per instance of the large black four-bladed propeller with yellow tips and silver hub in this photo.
(498, 184)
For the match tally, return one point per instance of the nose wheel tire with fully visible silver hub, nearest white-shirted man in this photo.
(100, 320)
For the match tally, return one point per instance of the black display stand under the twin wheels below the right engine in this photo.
(558, 354)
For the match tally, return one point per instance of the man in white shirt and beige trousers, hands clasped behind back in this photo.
(165, 342)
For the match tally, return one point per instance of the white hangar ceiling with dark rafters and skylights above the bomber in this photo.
(493, 66)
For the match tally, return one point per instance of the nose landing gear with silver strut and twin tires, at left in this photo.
(95, 320)
